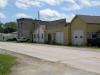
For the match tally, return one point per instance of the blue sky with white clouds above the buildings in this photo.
(49, 10)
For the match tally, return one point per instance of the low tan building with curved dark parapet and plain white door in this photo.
(55, 31)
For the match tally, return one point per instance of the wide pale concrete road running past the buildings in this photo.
(84, 59)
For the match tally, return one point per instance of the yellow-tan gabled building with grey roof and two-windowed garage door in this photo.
(82, 28)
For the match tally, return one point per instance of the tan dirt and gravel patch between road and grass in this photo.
(27, 65)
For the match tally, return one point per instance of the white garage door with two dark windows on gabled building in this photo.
(77, 37)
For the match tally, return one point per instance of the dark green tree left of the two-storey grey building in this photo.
(10, 27)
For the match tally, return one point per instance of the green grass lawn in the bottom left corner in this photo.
(6, 62)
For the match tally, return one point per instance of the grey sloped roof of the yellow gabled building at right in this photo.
(90, 19)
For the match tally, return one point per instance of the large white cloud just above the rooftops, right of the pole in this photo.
(49, 14)
